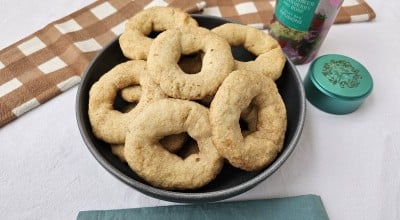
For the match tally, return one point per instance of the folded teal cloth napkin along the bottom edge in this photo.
(308, 207)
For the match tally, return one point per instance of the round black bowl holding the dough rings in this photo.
(231, 181)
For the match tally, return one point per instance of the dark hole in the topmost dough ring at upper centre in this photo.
(191, 63)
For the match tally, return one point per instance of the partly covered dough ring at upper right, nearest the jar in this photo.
(270, 58)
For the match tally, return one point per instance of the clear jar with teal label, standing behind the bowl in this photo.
(300, 26)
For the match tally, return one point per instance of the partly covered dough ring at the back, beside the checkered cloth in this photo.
(135, 41)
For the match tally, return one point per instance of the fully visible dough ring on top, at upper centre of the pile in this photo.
(166, 51)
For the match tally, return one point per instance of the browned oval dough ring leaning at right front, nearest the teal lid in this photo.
(259, 148)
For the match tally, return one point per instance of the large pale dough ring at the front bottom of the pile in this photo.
(158, 166)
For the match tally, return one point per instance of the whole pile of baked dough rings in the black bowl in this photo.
(189, 105)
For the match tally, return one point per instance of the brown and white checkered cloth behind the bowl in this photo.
(51, 60)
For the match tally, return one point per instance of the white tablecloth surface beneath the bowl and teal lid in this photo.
(351, 161)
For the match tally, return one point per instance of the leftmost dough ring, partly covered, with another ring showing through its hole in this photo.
(109, 124)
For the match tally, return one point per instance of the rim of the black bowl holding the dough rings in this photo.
(189, 197)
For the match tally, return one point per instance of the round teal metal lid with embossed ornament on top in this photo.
(337, 84)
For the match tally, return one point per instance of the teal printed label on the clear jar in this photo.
(296, 14)
